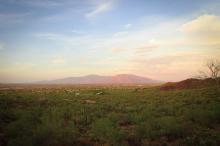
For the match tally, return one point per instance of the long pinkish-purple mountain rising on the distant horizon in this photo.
(97, 79)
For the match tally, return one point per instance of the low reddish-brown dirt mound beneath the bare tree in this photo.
(189, 84)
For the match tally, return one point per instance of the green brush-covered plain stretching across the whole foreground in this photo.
(108, 115)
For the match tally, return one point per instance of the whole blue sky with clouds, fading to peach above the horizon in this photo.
(167, 40)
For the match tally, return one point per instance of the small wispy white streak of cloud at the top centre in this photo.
(99, 8)
